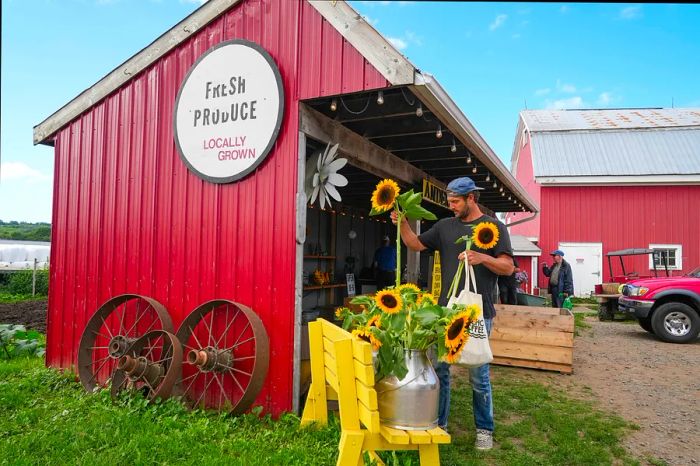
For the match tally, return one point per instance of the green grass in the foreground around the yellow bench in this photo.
(47, 418)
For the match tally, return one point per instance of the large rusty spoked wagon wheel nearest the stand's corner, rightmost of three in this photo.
(227, 354)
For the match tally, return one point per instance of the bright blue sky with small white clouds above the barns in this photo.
(492, 58)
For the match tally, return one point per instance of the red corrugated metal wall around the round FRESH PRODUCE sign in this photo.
(129, 217)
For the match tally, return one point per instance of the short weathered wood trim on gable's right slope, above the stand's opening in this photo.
(370, 43)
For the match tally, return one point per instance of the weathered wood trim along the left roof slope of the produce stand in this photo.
(130, 68)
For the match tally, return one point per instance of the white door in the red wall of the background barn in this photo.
(586, 260)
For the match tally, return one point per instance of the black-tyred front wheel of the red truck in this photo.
(676, 322)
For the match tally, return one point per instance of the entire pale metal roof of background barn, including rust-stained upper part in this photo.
(614, 146)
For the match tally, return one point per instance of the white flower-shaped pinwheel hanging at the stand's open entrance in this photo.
(322, 177)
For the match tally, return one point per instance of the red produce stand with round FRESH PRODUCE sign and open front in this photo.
(180, 176)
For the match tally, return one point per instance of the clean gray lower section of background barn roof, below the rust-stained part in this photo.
(617, 153)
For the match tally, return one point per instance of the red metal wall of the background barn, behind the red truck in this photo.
(622, 217)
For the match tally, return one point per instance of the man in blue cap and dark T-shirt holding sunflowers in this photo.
(463, 198)
